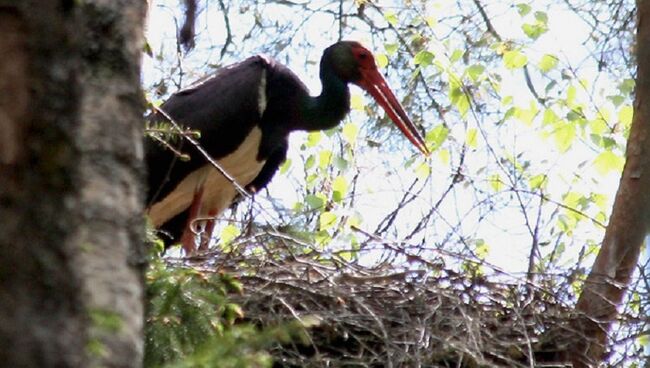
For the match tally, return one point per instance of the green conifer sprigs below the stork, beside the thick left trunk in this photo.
(192, 323)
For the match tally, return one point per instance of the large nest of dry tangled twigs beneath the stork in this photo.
(420, 313)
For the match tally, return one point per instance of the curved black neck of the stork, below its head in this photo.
(330, 107)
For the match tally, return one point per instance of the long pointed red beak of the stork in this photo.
(373, 82)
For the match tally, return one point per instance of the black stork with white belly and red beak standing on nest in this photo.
(244, 114)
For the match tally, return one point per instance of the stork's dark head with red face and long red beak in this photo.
(351, 62)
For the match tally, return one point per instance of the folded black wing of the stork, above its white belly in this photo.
(223, 109)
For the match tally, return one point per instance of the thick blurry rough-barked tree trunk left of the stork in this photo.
(71, 262)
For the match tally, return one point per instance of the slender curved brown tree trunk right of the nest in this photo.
(619, 254)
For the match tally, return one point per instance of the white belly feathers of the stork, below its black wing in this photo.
(218, 192)
